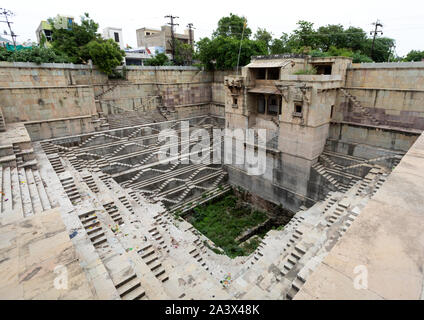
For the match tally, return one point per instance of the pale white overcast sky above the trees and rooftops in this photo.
(402, 20)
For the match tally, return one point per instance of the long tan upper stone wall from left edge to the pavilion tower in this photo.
(47, 94)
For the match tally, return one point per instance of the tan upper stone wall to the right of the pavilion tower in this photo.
(393, 93)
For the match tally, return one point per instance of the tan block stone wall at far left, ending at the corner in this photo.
(53, 99)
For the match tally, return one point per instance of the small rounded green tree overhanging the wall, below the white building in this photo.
(106, 55)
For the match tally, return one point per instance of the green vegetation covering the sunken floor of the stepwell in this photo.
(226, 219)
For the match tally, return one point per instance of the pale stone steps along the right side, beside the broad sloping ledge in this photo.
(306, 246)
